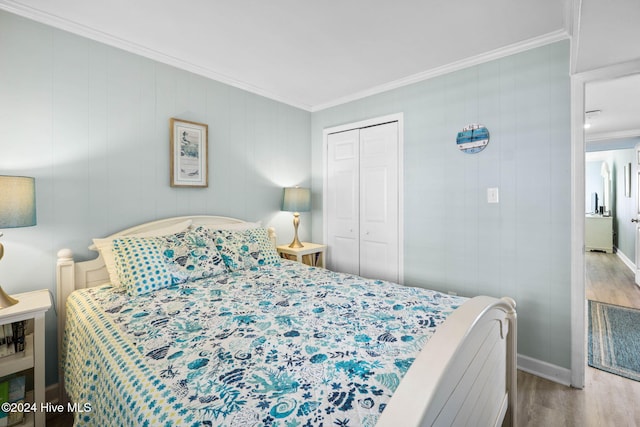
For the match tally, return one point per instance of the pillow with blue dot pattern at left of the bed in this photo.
(140, 265)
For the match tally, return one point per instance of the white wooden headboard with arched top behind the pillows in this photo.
(72, 275)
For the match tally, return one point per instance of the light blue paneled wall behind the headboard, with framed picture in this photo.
(91, 123)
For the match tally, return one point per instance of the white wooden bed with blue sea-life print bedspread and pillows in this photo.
(220, 331)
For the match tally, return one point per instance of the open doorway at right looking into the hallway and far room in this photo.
(612, 132)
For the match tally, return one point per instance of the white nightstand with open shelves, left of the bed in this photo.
(31, 305)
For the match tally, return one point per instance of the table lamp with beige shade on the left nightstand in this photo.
(17, 209)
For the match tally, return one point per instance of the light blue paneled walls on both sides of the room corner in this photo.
(90, 122)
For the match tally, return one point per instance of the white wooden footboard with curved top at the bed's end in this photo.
(466, 374)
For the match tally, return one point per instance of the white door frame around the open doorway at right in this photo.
(578, 272)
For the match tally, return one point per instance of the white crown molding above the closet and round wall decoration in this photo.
(449, 68)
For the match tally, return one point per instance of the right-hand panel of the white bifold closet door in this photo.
(379, 202)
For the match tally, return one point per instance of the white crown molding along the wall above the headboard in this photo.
(111, 40)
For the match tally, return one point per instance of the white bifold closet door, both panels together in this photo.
(362, 201)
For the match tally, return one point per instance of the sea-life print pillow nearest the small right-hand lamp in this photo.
(245, 249)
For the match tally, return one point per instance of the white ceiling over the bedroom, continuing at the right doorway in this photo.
(313, 55)
